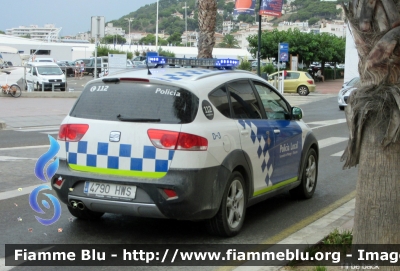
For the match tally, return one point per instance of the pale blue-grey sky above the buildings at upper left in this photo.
(73, 16)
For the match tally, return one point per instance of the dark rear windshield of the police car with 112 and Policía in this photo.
(128, 101)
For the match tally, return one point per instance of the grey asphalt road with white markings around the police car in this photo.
(266, 222)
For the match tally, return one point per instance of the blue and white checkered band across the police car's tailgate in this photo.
(119, 156)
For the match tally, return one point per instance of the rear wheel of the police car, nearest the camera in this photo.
(230, 217)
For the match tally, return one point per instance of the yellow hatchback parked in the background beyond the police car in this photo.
(295, 82)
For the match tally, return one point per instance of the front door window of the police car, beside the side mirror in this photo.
(274, 106)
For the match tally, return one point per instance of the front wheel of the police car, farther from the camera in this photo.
(309, 177)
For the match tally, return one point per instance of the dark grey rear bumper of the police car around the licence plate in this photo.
(198, 195)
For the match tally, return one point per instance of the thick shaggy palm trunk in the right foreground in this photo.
(373, 117)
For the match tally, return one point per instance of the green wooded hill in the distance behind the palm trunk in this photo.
(144, 19)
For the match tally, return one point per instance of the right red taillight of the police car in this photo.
(177, 140)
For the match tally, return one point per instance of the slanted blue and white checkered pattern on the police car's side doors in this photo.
(260, 139)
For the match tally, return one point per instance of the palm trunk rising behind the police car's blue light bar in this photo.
(207, 19)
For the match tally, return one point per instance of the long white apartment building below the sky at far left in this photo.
(47, 32)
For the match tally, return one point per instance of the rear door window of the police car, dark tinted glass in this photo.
(243, 100)
